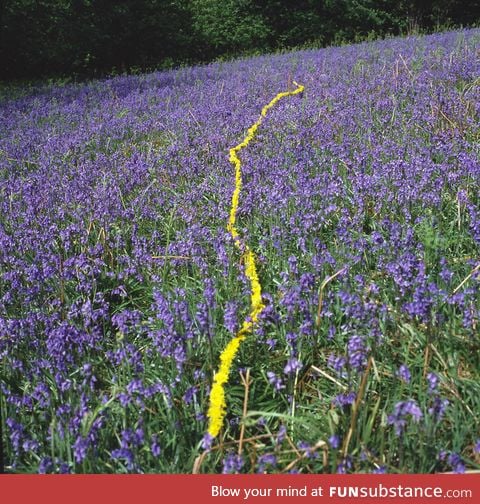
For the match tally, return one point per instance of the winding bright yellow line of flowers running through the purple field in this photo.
(217, 408)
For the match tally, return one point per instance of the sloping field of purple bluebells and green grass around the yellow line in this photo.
(120, 285)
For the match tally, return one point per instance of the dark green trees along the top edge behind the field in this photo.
(93, 37)
